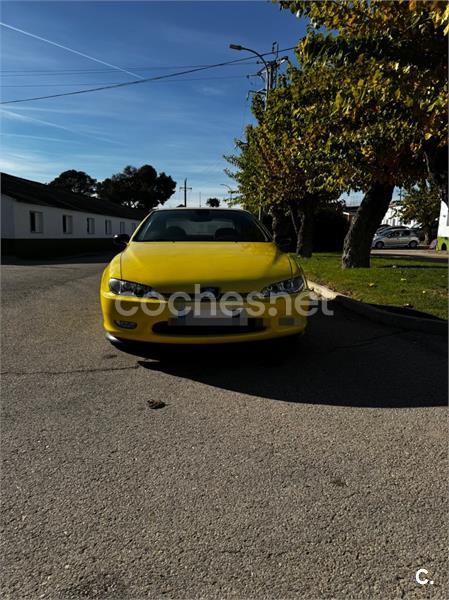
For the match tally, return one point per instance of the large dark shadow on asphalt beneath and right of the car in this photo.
(342, 360)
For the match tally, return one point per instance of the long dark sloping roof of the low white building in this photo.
(33, 192)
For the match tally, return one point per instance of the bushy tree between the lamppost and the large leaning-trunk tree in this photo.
(278, 172)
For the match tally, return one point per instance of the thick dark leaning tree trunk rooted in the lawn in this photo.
(358, 240)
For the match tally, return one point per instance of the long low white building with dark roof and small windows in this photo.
(39, 219)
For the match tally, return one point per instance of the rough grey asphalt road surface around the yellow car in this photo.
(317, 475)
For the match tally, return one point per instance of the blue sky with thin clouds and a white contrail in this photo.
(180, 127)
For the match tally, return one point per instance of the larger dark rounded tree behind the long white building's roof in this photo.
(138, 187)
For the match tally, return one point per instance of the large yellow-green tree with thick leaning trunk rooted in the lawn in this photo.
(381, 68)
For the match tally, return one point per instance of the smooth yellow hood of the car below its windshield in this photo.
(231, 266)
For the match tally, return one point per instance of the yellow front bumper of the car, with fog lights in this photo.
(279, 318)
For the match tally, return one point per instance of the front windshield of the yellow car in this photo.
(201, 225)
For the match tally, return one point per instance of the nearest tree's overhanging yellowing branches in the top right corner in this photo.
(408, 37)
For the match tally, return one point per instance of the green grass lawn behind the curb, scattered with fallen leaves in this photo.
(421, 285)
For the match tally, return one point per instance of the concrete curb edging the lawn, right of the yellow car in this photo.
(384, 315)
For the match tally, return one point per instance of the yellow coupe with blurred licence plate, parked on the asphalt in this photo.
(202, 276)
